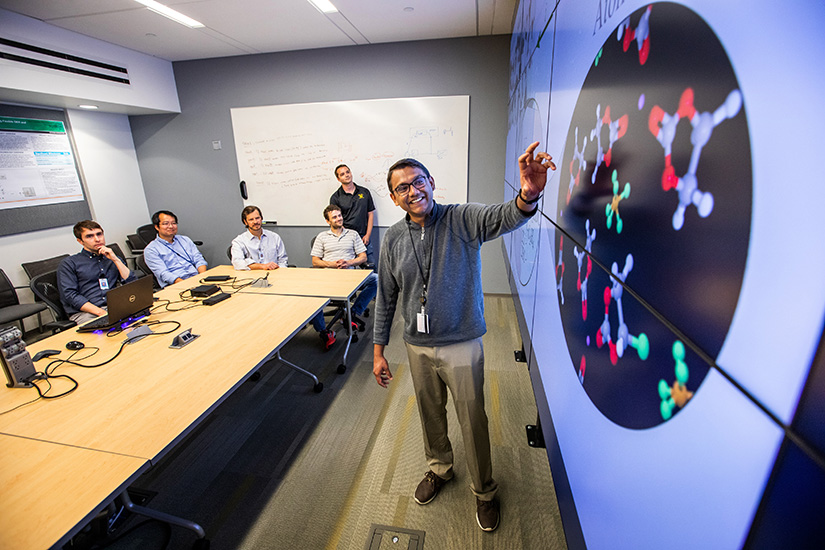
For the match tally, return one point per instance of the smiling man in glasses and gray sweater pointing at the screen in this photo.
(430, 266)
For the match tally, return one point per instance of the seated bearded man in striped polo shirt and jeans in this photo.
(342, 248)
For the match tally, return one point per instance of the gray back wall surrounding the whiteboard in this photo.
(183, 173)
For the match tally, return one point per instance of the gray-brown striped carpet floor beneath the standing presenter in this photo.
(278, 466)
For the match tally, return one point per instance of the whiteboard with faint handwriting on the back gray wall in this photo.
(287, 153)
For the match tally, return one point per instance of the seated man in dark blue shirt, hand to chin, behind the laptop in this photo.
(85, 278)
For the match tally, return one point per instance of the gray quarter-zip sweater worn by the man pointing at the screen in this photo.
(448, 246)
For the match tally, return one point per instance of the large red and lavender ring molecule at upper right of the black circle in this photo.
(663, 126)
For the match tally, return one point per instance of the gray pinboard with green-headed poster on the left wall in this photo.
(40, 178)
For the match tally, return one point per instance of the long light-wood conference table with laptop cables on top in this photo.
(125, 415)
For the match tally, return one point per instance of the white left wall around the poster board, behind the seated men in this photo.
(106, 154)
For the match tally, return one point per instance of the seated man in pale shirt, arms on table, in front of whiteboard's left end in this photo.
(257, 248)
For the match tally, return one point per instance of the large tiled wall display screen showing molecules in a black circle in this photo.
(672, 285)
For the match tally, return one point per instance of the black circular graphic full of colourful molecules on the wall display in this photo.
(656, 184)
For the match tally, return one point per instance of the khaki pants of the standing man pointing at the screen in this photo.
(459, 367)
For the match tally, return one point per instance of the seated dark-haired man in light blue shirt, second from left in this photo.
(172, 257)
